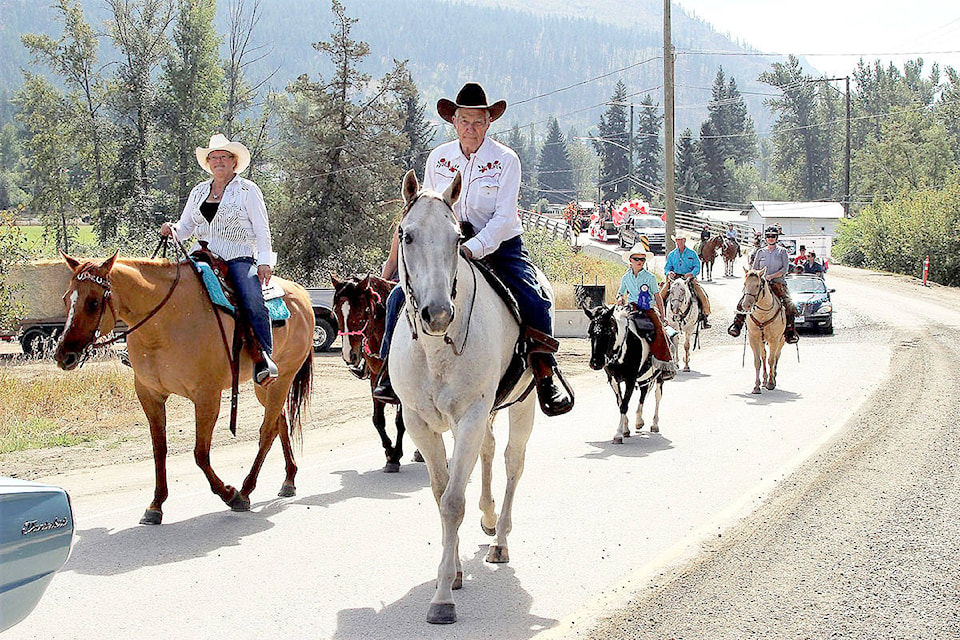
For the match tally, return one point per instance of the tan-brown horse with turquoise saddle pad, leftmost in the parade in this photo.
(176, 348)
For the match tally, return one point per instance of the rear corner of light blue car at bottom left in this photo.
(36, 536)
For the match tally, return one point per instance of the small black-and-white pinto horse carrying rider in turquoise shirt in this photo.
(628, 362)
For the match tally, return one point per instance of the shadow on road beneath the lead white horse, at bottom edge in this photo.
(492, 604)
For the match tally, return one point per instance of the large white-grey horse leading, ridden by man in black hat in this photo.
(446, 361)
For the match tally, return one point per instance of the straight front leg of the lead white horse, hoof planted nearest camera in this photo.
(466, 449)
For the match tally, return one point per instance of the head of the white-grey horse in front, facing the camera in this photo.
(430, 253)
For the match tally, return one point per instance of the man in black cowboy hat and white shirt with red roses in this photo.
(487, 210)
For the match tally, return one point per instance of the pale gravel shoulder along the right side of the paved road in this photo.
(863, 541)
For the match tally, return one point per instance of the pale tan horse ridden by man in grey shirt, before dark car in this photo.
(766, 320)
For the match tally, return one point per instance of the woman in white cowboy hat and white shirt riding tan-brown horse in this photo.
(229, 214)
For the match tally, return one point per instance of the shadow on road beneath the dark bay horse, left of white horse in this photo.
(373, 484)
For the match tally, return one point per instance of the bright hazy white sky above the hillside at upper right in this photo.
(920, 28)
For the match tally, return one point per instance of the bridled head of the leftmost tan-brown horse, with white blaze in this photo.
(88, 302)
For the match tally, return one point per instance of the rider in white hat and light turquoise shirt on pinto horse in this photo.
(641, 292)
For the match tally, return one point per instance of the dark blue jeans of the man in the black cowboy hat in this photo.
(512, 264)
